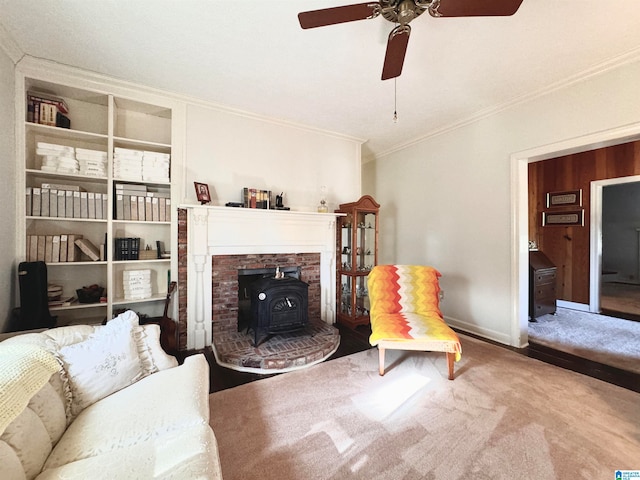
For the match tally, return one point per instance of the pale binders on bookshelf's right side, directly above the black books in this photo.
(134, 202)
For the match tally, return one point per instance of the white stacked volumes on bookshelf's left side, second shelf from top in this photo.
(65, 159)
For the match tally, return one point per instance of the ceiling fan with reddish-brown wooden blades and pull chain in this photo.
(401, 12)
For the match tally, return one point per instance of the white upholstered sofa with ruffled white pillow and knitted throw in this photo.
(103, 402)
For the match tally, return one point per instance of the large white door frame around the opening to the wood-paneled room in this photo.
(520, 212)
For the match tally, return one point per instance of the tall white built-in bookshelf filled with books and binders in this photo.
(87, 152)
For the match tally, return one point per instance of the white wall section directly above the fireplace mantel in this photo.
(229, 151)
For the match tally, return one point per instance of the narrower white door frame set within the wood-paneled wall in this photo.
(595, 238)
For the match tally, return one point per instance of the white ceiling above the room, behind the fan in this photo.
(253, 56)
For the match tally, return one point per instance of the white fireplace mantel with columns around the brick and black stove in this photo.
(235, 231)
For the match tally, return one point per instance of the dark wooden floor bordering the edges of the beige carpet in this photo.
(354, 341)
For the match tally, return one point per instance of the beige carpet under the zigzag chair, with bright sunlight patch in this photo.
(505, 416)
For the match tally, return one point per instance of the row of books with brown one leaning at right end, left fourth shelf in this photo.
(62, 248)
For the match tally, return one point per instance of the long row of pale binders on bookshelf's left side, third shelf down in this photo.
(65, 201)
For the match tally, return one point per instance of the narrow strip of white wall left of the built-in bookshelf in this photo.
(8, 272)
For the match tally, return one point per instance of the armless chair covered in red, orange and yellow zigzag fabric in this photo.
(405, 312)
